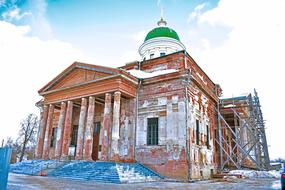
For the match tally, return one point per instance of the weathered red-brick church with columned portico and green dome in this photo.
(159, 112)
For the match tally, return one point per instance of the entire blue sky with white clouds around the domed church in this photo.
(238, 43)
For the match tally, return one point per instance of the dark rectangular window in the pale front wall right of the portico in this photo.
(152, 131)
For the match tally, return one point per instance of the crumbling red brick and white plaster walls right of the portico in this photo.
(187, 99)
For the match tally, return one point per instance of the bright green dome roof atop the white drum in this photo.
(162, 32)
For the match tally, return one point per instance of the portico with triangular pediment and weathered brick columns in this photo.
(82, 116)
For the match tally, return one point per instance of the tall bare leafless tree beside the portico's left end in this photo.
(27, 134)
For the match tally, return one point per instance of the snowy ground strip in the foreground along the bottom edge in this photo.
(24, 182)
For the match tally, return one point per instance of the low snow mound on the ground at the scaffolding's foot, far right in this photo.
(256, 174)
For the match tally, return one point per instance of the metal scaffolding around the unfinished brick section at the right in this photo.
(240, 135)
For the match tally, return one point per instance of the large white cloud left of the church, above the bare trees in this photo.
(27, 64)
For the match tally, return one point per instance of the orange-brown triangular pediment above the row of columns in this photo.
(76, 74)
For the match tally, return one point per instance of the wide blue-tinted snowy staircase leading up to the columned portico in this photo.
(107, 172)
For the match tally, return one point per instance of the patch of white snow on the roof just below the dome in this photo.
(142, 74)
